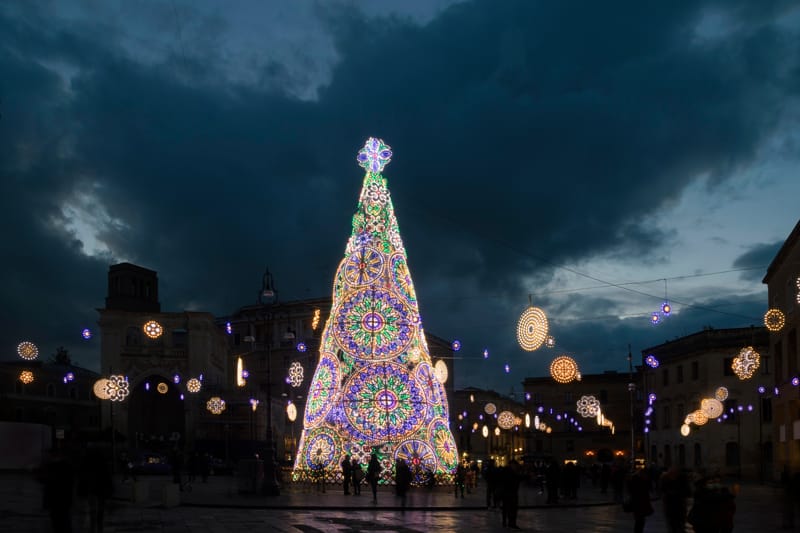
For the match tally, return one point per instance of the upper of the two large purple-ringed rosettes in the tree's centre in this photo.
(374, 324)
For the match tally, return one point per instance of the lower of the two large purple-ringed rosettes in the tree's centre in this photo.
(383, 403)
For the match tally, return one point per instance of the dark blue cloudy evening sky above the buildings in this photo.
(574, 151)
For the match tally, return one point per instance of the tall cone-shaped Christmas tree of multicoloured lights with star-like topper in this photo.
(374, 389)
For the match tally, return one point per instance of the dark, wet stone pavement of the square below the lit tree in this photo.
(758, 509)
